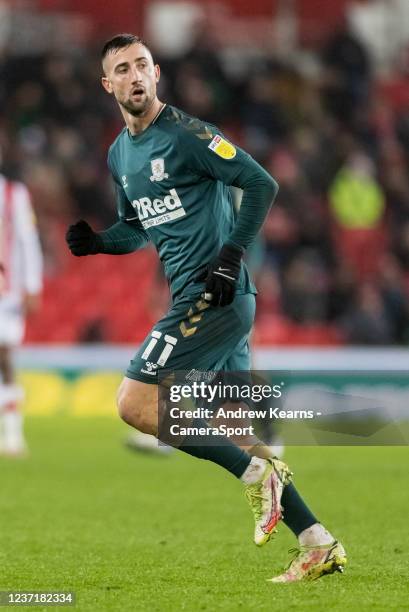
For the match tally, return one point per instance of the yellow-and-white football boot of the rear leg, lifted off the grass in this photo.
(264, 498)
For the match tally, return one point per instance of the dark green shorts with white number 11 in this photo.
(194, 335)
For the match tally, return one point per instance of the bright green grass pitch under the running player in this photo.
(132, 532)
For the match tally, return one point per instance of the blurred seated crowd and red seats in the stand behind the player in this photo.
(332, 263)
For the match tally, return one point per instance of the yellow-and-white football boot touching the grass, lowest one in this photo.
(312, 562)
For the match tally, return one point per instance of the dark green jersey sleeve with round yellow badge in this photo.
(209, 154)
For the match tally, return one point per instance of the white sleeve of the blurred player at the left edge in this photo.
(29, 241)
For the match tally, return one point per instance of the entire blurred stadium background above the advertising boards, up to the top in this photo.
(316, 90)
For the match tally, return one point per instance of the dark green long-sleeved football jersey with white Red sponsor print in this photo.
(172, 184)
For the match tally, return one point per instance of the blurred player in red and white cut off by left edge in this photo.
(20, 287)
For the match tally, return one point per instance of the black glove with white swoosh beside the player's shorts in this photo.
(221, 276)
